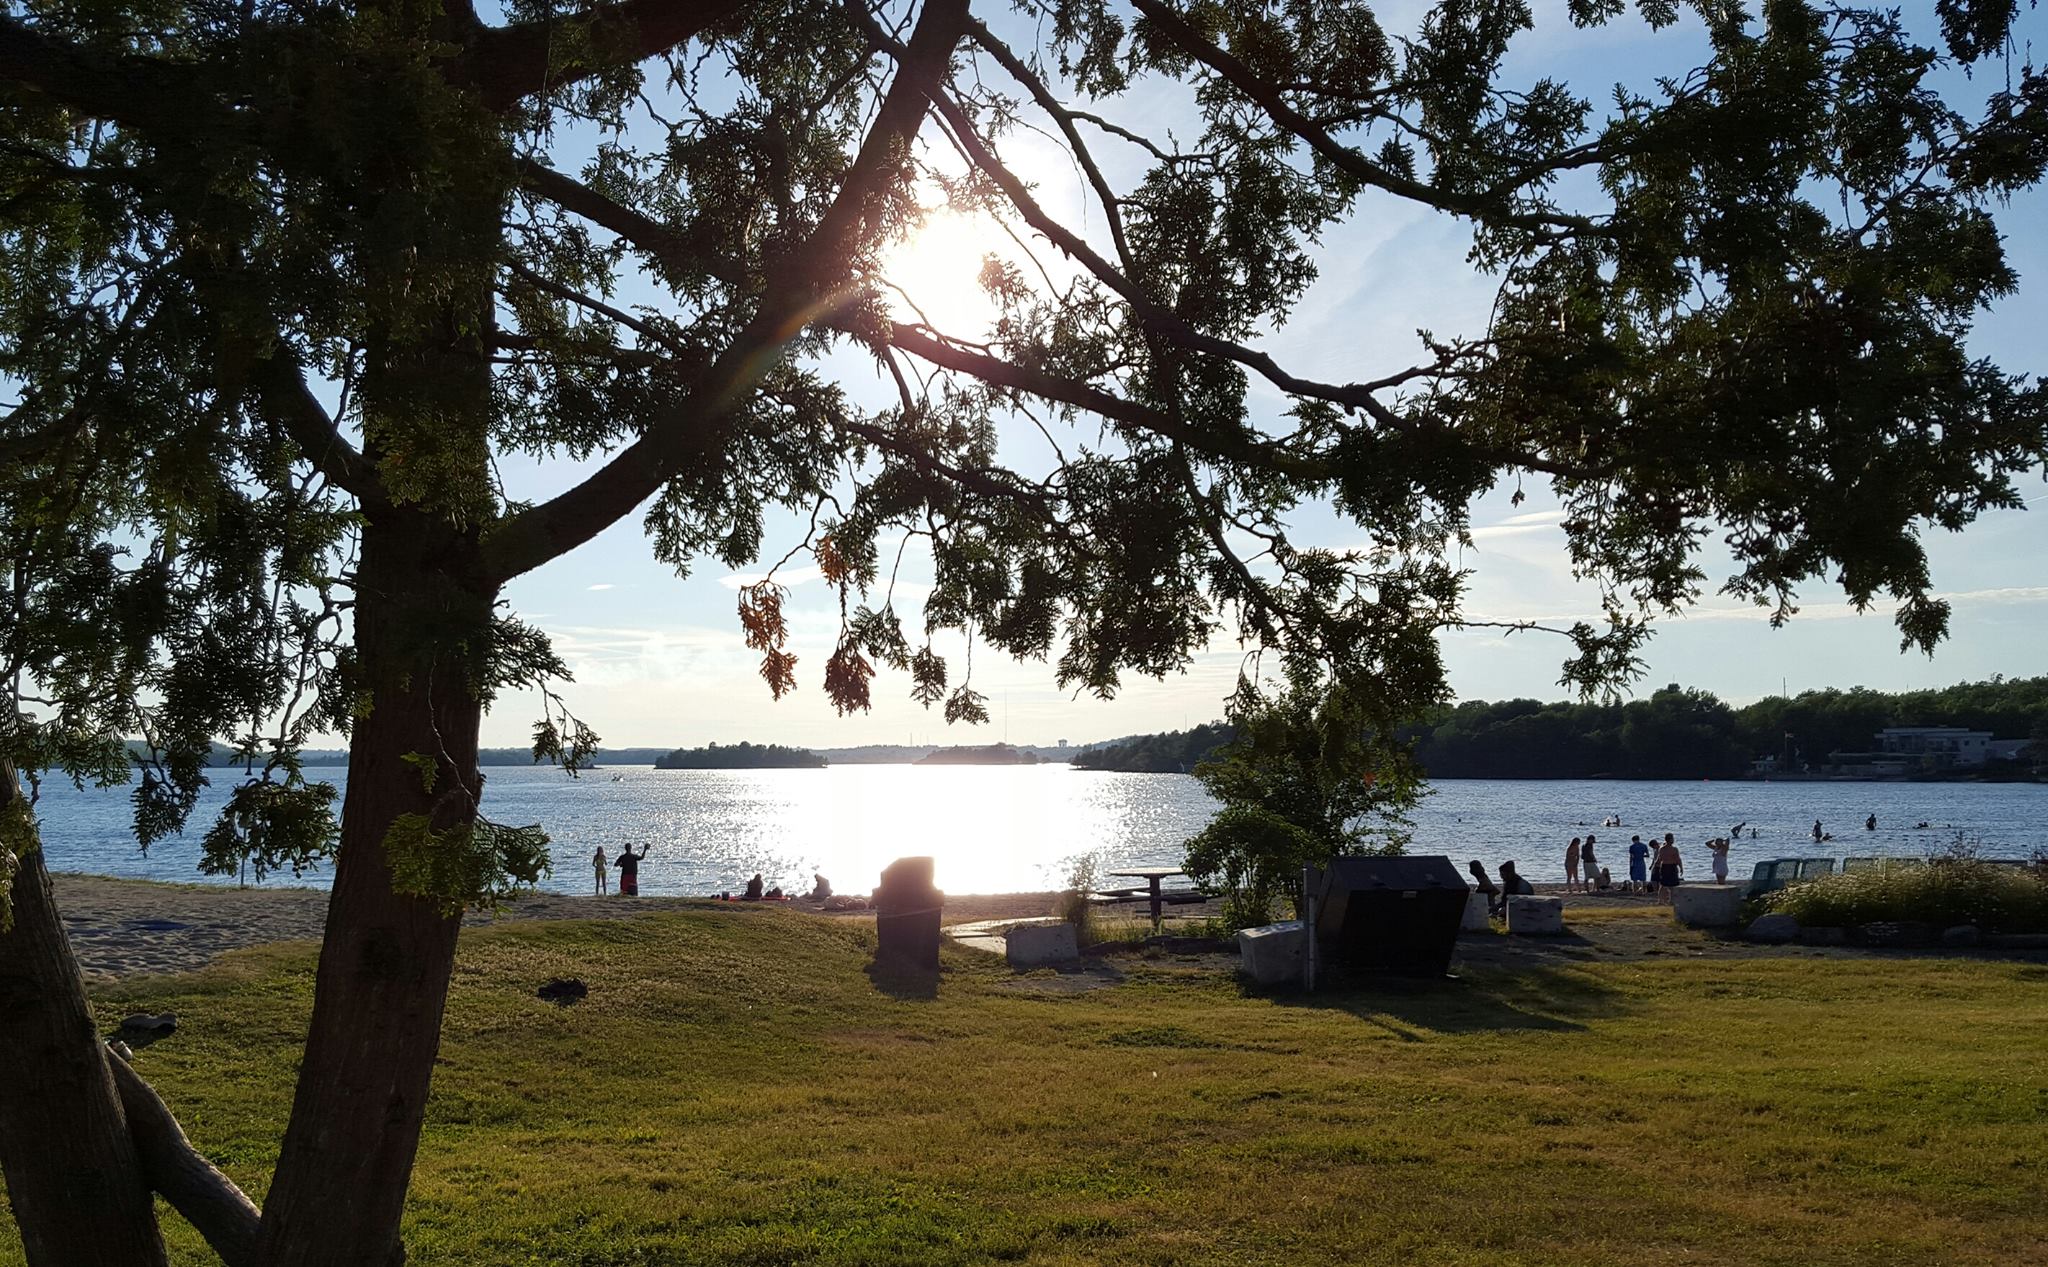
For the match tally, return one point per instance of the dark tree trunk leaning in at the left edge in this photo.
(73, 1176)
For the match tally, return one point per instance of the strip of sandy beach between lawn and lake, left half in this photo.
(122, 928)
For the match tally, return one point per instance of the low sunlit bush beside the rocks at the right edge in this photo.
(1945, 893)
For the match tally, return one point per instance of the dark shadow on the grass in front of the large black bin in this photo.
(1543, 1000)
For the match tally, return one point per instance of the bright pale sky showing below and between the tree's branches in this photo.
(660, 660)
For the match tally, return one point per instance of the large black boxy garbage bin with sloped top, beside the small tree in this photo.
(1390, 916)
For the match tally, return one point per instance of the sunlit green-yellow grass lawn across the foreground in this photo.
(738, 1090)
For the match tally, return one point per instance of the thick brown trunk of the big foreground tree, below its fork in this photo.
(423, 617)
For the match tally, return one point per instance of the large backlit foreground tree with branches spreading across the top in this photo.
(282, 283)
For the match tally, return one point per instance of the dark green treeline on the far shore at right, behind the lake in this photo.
(1672, 734)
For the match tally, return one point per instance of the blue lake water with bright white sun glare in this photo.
(1019, 828)
